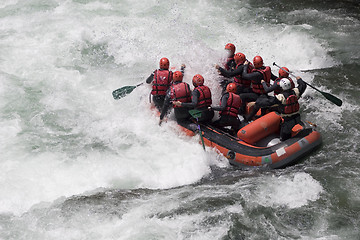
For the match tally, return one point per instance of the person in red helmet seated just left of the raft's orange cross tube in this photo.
(229, 108)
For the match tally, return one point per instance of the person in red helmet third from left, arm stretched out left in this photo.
(200, 99)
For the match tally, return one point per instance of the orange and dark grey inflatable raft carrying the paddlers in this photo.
(258, 145)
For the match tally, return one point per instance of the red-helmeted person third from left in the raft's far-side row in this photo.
(260, 72)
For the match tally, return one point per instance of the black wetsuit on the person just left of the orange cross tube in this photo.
(226, 120)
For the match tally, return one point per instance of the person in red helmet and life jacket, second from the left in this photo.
(178, 91)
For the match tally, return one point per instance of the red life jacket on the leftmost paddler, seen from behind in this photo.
(161, 83)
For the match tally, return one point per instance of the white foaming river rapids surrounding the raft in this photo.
(76, 164)
